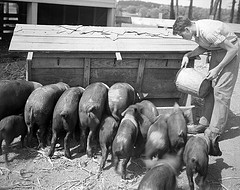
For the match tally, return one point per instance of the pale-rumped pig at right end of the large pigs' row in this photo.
(120, 96)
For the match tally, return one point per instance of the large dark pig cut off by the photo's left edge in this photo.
(14, 94)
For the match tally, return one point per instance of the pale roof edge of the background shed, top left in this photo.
(90, 3)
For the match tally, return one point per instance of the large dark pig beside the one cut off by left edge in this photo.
(39, 108)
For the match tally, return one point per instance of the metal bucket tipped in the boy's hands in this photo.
(190, 81)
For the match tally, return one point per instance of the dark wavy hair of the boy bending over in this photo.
(180, 24)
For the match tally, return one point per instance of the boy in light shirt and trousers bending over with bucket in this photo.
(216, 37)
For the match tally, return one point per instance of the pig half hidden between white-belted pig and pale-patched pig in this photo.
(148, 114)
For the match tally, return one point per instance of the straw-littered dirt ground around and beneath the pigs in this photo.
(32, 169)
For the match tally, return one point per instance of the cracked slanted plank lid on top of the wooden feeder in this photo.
(67, 38)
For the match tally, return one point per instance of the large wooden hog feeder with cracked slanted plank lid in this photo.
(146, 58)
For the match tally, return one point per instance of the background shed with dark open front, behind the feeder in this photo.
(71, 12)
